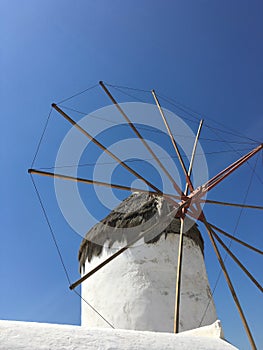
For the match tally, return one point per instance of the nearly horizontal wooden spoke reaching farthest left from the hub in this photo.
(98, 183)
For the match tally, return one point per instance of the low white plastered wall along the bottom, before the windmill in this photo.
(42, 336)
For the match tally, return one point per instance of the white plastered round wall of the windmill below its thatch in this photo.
(137, 290)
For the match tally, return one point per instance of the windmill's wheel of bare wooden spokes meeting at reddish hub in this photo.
(187, 201)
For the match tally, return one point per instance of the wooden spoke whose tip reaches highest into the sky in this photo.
(138, 134)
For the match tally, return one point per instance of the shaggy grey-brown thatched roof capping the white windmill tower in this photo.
(138, 213)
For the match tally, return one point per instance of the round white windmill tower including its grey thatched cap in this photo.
(137, 290)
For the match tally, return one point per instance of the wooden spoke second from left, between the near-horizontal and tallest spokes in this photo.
(67, 117)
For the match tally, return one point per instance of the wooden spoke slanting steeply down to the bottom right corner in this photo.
(230, 285)
